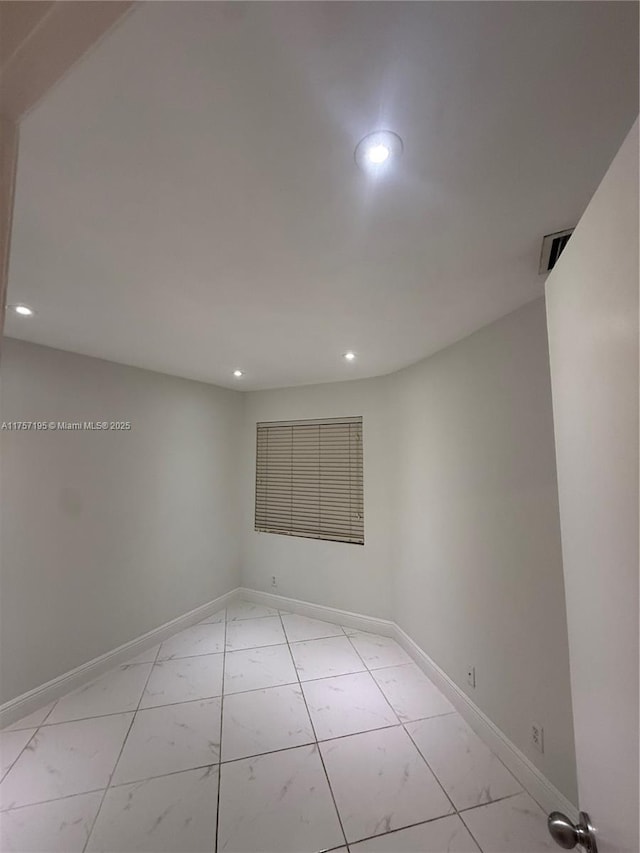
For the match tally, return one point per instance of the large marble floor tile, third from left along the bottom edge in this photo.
(277, 803)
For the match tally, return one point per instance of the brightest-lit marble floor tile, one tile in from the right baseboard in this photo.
(347, 704)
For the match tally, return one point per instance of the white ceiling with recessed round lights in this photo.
(187, 198)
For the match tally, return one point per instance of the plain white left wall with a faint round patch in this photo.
(106, 535)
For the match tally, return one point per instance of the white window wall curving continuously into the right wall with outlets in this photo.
(461, 524)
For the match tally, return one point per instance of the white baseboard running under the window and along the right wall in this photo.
(532, 780)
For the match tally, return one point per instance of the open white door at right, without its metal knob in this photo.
(592, 304)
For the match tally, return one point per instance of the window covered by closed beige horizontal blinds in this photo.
(309, 479)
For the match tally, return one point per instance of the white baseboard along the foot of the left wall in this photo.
(25, 704)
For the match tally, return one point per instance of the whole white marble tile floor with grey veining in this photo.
(260, 731)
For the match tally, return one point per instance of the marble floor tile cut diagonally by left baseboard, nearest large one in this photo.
(114, 692)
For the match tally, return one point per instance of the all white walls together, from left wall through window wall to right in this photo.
(106, 536)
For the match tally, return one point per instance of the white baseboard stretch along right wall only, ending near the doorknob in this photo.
(530, 777)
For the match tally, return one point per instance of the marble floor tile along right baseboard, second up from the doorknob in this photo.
(467, 769)
